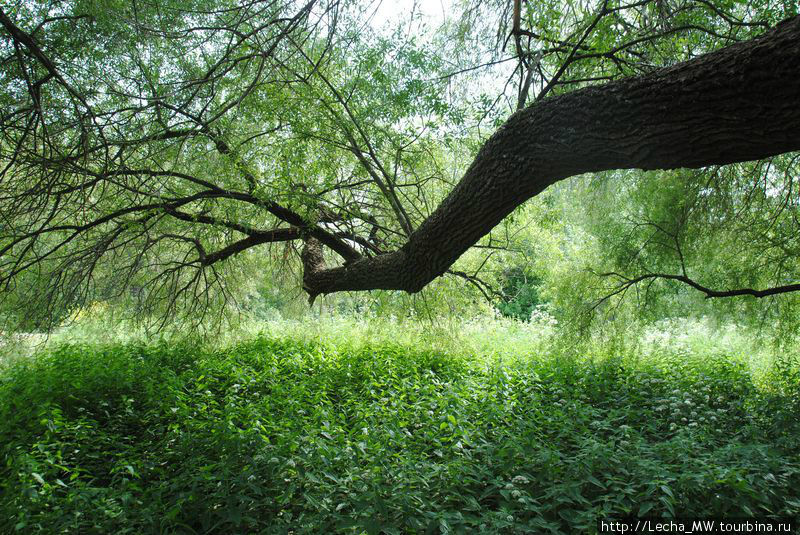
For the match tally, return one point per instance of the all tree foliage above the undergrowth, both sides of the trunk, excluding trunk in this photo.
(163, 156)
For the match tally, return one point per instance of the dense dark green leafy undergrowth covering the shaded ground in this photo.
(277, 436)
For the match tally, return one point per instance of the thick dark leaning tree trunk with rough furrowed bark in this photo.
(736, 104)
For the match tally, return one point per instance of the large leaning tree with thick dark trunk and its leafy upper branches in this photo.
(186, 136)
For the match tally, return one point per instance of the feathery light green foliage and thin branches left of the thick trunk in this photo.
(155, 120)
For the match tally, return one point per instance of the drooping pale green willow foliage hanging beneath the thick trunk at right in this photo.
(722, 228)
